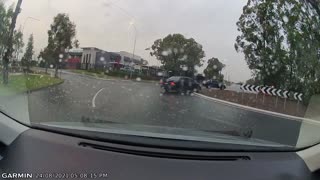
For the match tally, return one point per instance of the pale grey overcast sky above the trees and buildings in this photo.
(105, 24)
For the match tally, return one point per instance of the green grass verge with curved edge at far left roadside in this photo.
(23, 83)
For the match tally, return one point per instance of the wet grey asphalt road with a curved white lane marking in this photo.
(81, 99)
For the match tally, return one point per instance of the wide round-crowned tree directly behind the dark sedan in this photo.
(178, 54)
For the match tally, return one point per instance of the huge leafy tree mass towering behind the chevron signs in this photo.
(280, 40)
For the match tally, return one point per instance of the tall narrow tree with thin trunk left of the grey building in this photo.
(61, 37)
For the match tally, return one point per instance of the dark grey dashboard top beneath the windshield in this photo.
(48, 155)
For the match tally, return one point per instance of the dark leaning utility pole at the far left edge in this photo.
(8, 53)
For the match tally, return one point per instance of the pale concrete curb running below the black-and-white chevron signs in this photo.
(248, 108)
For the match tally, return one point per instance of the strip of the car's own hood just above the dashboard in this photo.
(225, 137)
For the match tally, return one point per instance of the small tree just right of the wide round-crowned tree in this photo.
(213, 69)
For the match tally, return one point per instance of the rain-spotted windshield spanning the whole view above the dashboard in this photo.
(250, 69)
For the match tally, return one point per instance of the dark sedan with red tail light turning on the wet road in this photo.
(180, 84)
